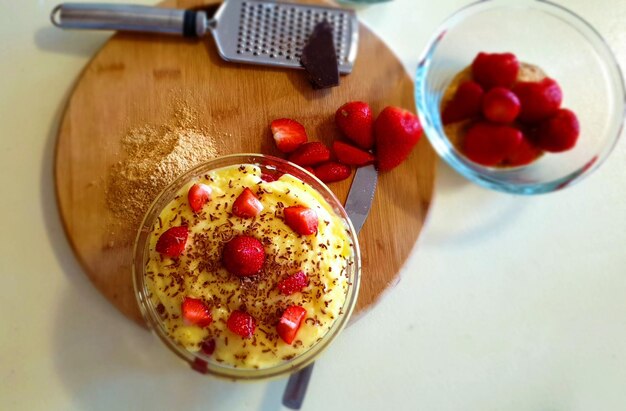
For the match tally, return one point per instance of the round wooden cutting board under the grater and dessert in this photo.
(130, 82)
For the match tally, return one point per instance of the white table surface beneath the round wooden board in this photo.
(506, 303)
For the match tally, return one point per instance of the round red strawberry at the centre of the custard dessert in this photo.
(243, 256)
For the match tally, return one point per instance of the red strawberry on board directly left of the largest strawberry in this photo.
(355, 120)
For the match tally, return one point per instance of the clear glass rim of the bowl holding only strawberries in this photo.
(488, 176)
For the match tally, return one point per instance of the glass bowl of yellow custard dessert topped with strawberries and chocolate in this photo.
(246, 267)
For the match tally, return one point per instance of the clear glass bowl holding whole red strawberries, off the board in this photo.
(520, 96)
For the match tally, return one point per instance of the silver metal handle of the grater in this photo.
(103, 16)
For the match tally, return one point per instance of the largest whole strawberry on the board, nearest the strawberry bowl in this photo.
(396, 131)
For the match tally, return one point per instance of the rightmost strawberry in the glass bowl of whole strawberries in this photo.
(558, 133)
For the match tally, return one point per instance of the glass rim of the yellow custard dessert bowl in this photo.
(151, 315)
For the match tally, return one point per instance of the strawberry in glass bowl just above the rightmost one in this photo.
(539, 100)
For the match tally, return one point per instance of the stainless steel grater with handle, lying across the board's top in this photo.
(248, 31)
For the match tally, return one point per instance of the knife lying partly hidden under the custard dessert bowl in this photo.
(358, 205)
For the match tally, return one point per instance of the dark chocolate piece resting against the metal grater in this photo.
(319, 58)
